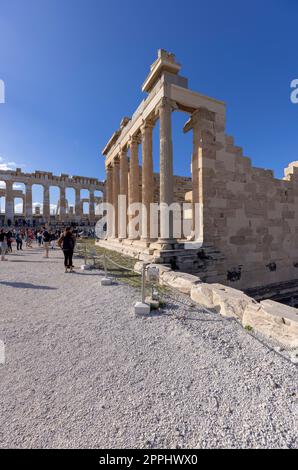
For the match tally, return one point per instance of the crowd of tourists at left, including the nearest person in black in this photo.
(44, 237)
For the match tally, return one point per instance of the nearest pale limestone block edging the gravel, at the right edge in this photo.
(273, 320)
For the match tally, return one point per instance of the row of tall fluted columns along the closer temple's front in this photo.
(123, 179)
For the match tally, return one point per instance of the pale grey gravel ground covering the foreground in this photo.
(82, 371)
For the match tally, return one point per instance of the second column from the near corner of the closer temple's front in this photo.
(147, 178)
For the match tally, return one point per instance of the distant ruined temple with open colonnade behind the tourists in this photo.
(64, 213)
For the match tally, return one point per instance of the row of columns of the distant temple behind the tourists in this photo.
(9, 201)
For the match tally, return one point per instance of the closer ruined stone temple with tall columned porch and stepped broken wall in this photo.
(244, 220)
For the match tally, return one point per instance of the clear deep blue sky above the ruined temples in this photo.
(74, 68)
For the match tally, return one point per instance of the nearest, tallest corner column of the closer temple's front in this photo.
(166, 170)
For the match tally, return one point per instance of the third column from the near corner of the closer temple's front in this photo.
(134, 174)
